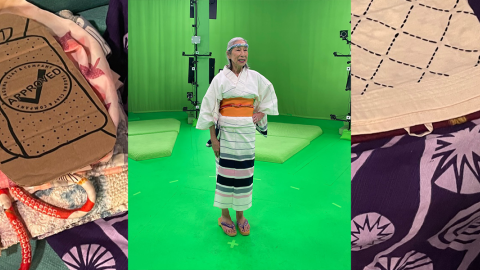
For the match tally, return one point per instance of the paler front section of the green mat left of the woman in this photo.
(149, 146)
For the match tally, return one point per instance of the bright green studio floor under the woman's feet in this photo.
(300, 218)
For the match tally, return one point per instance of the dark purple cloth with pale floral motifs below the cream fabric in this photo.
(416, 201)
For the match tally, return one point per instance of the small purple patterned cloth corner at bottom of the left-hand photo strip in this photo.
(98, 245)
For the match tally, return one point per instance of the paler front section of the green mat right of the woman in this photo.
(268, 150)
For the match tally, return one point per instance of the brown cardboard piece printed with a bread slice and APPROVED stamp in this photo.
(51, 121)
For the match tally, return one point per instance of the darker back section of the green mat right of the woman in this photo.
(307, 132)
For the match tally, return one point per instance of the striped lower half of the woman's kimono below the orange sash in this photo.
(235, 168)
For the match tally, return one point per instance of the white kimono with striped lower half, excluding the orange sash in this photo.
(236, 134)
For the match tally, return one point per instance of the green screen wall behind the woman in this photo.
(291, 44)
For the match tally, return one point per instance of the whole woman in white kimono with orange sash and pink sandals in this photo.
(234, 107)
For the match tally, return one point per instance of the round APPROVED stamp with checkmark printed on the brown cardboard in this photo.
(48, 88)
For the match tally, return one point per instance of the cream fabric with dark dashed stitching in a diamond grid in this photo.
(414, 62)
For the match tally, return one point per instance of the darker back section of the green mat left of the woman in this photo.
(153, 126)
